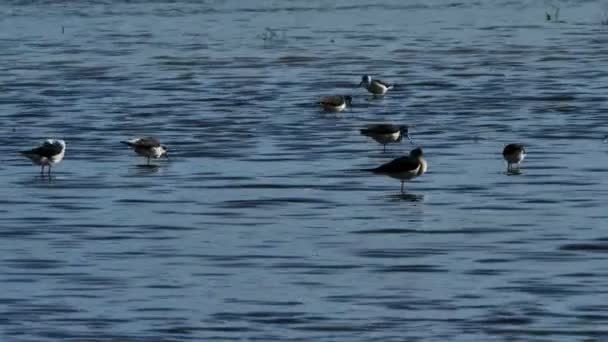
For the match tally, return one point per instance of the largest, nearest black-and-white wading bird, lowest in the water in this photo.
(404, 168)
